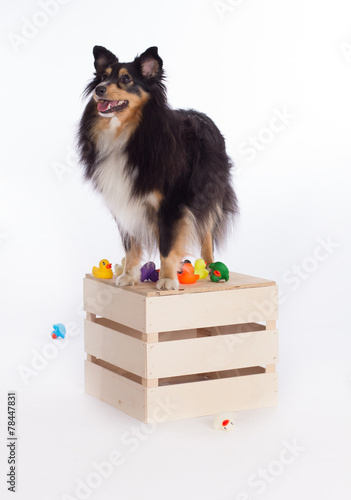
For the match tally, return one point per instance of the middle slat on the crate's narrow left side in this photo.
(115, 347)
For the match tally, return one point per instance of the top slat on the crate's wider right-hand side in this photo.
(199, 310)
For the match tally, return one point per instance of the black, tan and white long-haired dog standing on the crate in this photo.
(164, 173)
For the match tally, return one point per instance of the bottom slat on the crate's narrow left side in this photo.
(115, 390)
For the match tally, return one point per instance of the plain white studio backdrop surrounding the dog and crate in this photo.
(276, 77)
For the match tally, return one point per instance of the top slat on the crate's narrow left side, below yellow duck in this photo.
(115, 304)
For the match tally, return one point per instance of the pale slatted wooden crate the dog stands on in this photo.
(166, 355)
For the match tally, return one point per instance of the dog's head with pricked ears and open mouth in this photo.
(122, 89)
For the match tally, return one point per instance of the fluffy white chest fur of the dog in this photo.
(116, 185)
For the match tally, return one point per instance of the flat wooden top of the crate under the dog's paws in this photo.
(148, 289)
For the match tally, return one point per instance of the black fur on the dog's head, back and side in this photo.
(180, 153)
